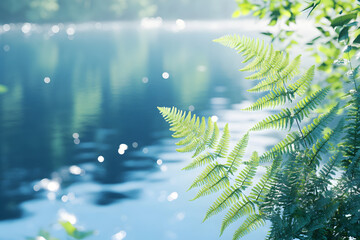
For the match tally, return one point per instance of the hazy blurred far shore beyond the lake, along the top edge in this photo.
(109, 10)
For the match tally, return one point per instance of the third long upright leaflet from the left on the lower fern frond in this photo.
(247, 174)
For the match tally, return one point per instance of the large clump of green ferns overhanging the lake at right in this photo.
(299, 193)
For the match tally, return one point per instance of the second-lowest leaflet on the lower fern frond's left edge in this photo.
(241, 208)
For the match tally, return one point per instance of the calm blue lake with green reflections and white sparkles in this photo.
(77, 92)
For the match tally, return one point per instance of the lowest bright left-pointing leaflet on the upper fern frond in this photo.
(282, 120)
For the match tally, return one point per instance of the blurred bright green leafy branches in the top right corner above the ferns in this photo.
(336, 23)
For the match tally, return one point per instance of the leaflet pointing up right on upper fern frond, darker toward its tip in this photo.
(303, 108)
